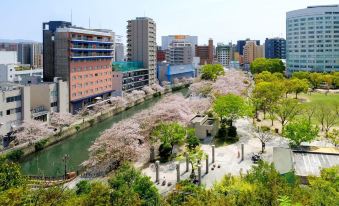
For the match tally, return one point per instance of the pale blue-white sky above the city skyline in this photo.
(222, 20)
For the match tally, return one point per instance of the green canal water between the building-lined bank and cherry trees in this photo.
(49, 162)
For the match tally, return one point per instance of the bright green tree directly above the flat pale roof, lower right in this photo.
(300, 131)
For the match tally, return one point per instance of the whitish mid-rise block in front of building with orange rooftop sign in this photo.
(179, 53)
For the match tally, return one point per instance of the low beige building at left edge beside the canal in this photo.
(19, 103)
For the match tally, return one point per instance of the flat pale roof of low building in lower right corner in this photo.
(305, 161)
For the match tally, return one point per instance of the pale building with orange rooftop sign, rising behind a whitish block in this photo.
(166, 41)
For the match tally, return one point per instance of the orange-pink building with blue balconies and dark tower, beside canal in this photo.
(83, 57)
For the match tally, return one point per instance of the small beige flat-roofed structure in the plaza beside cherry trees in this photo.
(204, 126)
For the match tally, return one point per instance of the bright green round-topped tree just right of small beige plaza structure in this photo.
(230, 107)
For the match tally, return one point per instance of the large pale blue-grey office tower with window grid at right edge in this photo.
(312, 39)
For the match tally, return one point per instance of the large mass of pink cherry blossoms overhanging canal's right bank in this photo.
(130, 138)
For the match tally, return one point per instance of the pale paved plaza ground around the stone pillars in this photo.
(226, 157)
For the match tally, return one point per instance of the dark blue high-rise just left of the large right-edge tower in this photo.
(275, 48)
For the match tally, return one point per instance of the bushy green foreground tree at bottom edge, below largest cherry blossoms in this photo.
(130, 187)
